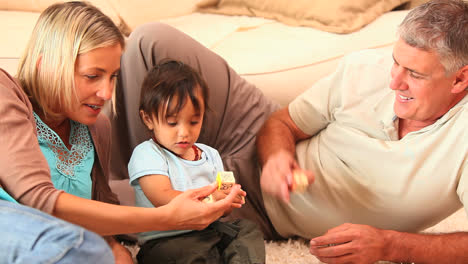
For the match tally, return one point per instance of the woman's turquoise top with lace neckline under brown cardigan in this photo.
(70, 169)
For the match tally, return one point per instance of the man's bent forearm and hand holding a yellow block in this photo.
(276, 146)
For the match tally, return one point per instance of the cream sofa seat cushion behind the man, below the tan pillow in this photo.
(279, 59)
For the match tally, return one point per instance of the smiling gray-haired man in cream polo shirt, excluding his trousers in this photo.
(385, 163)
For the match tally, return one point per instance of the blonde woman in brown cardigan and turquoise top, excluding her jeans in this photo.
(55, 143)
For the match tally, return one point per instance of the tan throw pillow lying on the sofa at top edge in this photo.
(339, 16)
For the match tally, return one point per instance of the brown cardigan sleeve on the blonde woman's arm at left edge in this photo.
(25, 174)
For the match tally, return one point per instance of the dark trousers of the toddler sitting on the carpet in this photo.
(238, 241)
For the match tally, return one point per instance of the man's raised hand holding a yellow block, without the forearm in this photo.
(277, 175)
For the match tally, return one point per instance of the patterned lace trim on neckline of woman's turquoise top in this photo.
(66, 160)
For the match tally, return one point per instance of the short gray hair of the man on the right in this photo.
(440, 26)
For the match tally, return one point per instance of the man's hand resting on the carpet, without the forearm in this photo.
(350, 243)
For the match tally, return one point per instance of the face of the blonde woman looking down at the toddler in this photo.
(95, 76)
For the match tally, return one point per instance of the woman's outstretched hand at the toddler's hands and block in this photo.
(187, 211)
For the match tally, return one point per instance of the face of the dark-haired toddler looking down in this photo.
(180, 131)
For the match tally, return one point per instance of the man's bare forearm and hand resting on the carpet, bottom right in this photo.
(351, 243)
